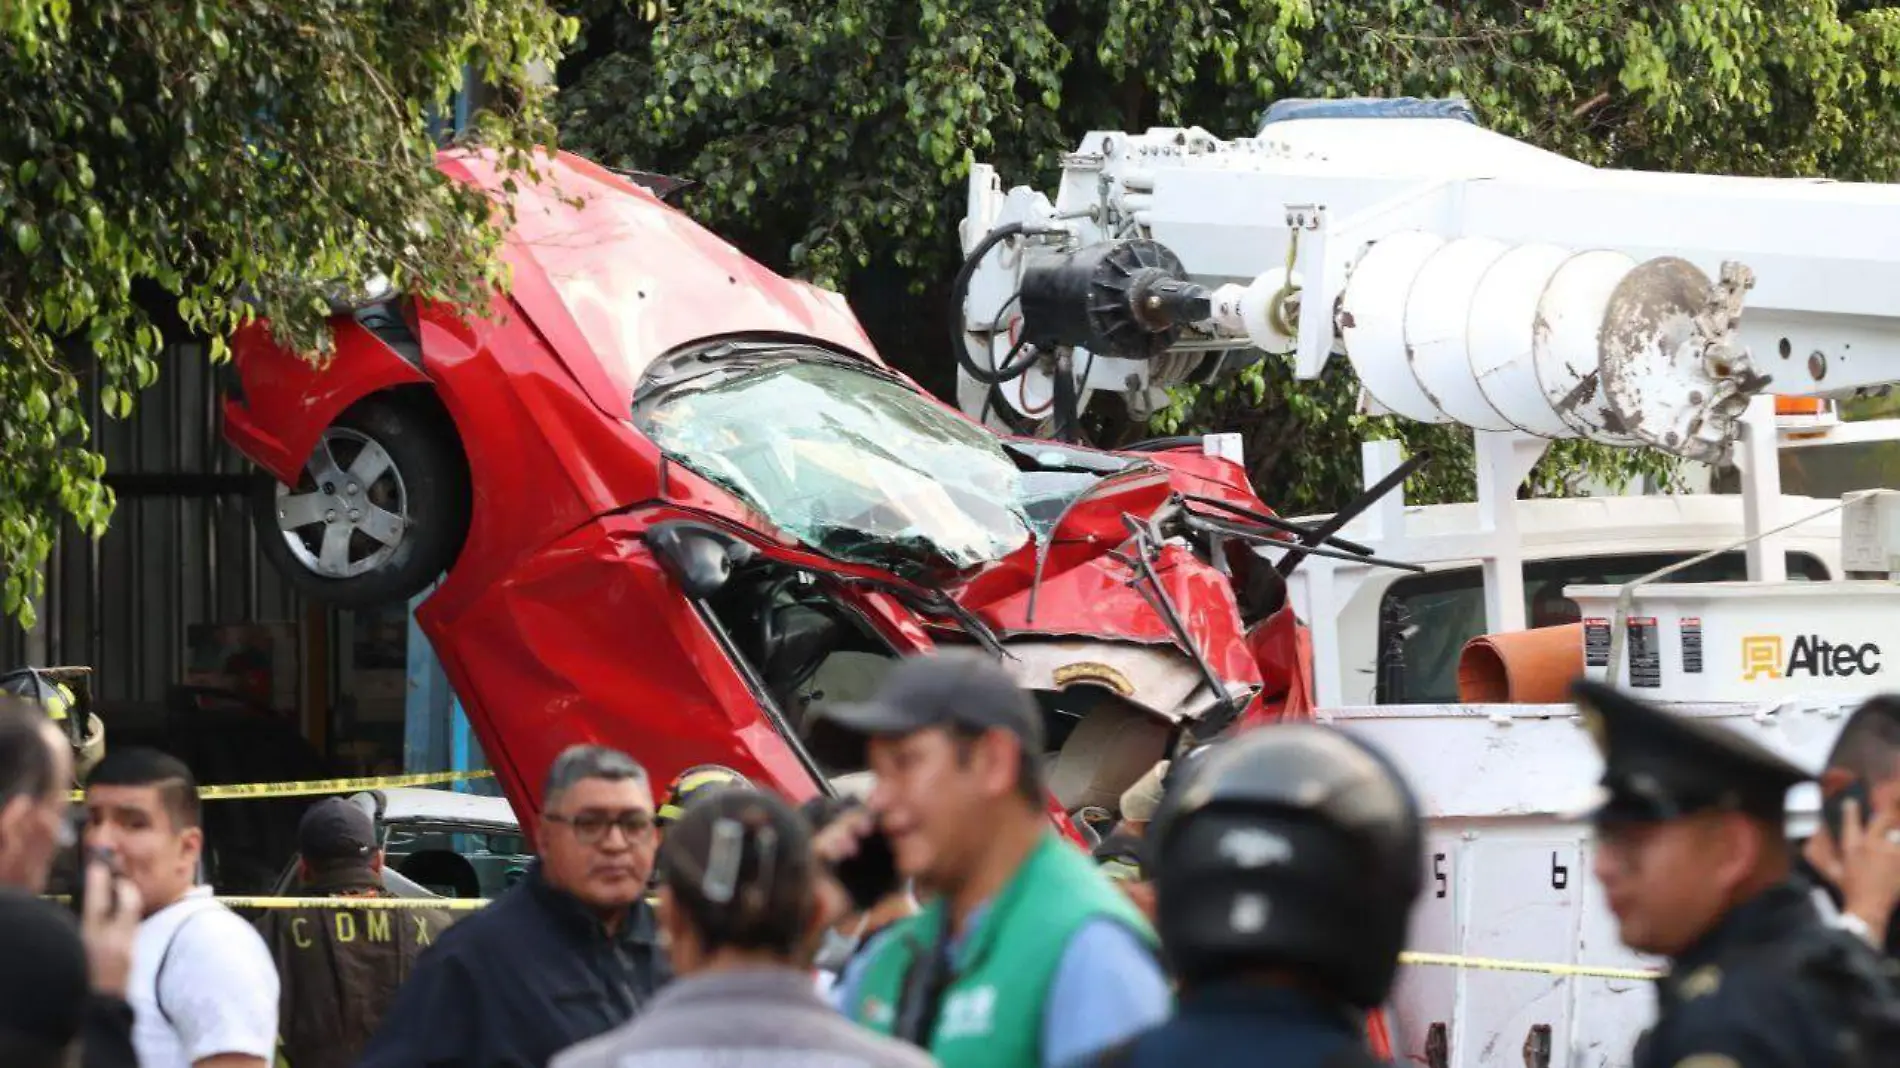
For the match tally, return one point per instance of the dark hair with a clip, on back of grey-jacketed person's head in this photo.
(742, 871)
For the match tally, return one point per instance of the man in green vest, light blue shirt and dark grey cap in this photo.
(1025, 957)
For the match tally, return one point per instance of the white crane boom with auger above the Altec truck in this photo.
(1470, 278)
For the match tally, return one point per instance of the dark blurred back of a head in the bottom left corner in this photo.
(43, 974)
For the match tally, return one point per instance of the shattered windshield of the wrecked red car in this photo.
(846, 461)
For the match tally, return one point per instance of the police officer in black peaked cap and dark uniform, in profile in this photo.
(1696, 866)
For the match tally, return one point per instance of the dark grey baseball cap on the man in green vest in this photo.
(945, 689)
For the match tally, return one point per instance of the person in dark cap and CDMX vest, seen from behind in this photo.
(339, 966)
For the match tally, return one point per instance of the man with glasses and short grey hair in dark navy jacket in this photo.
(563, 957)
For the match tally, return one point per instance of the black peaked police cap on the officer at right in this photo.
(1665, 767)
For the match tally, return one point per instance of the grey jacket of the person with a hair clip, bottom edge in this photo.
(742, 1020)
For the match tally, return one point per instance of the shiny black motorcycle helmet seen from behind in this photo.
(1289, 847)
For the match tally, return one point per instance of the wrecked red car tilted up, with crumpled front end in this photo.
(677, 501)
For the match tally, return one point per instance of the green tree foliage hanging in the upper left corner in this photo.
(235, 161)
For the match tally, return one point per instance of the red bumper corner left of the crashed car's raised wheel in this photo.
(297, 400)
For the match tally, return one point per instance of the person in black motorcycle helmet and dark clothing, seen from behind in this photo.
(1285, 864)
